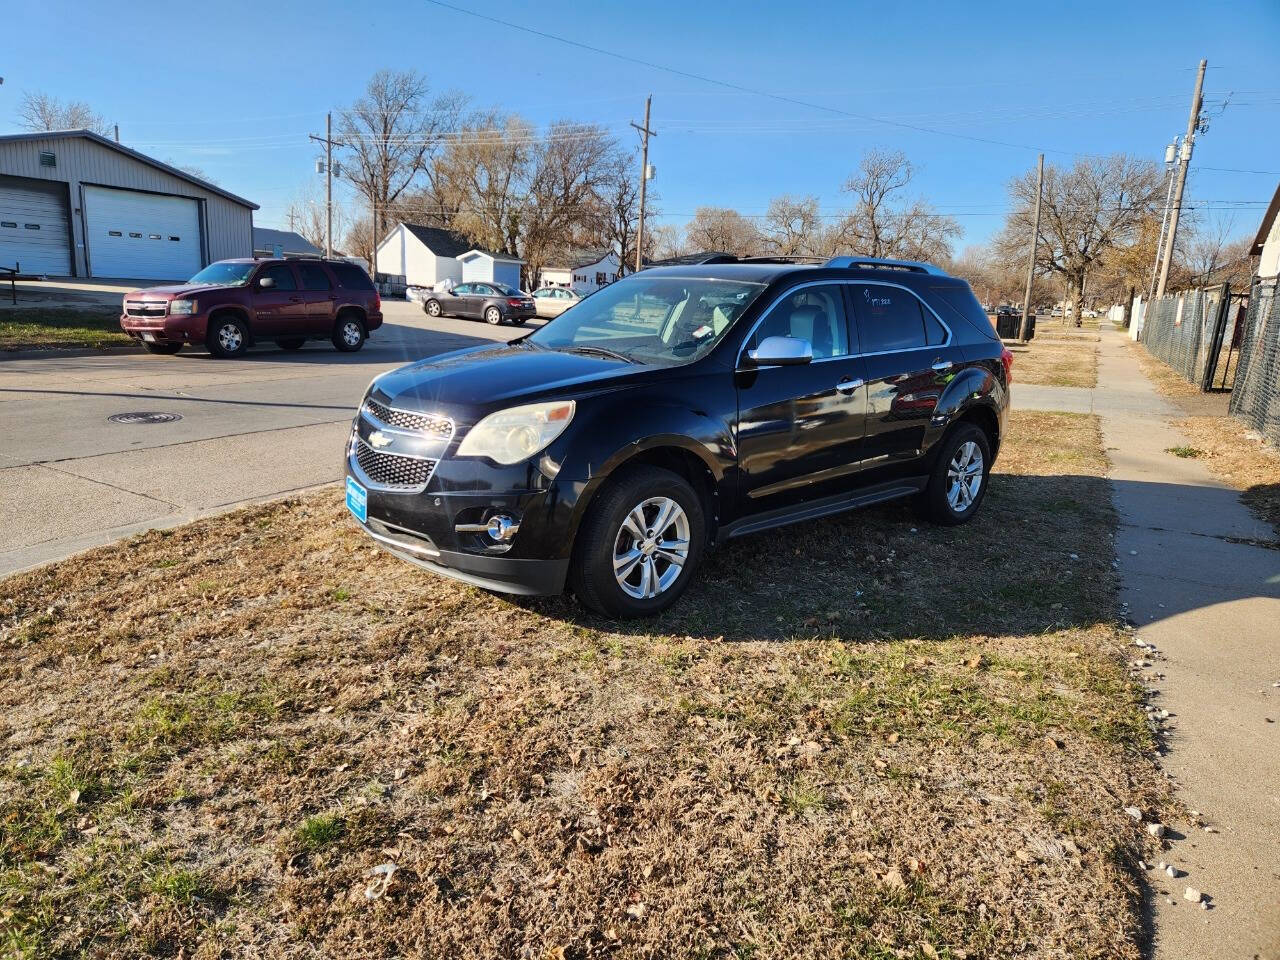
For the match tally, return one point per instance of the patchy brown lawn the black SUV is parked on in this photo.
(866, 737)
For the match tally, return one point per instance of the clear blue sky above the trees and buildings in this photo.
(236, 88)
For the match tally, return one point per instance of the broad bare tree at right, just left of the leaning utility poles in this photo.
(1087, 212)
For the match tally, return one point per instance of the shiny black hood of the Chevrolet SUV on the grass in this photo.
(504, 376)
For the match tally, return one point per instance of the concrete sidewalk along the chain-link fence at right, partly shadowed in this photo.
(1197, 589)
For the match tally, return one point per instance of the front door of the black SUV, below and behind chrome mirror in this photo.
(801, 428)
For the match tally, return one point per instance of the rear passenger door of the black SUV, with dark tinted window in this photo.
(911, 360)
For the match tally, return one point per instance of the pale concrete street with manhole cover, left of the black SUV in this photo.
(250, 431)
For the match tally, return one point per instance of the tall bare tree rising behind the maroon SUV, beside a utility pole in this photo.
(391, 136)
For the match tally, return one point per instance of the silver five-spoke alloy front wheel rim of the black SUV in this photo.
(651, 548)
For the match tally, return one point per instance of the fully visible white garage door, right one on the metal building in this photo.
(141, 236)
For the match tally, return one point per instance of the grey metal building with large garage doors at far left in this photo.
(75, 204)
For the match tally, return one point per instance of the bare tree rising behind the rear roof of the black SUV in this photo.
(884, 223)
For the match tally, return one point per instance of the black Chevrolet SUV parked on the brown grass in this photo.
(680, 408)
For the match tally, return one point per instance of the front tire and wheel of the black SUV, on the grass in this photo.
(607, 536)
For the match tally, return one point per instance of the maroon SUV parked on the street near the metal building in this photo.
(234, 304)
